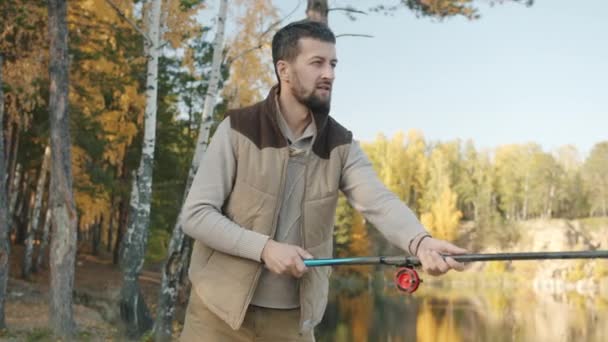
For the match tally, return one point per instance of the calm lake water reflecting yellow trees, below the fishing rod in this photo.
(372, 310)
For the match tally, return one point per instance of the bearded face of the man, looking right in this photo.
(311, 74)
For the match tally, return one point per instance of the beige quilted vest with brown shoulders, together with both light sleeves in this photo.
(233, 205)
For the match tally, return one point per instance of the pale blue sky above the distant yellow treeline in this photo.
(516, 75)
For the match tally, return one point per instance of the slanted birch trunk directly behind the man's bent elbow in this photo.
(174, 265)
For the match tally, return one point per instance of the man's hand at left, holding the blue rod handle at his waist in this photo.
(282, 258)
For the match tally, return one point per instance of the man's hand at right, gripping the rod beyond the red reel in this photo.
(430, 254)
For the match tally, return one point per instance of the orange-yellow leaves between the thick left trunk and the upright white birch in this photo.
(89, 90)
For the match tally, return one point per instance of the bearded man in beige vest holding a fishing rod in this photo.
(265, 198)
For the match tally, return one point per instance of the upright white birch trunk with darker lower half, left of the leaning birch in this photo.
(133, 309)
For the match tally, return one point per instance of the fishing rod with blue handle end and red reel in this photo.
(407, 279)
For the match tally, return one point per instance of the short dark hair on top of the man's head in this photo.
(285, 41)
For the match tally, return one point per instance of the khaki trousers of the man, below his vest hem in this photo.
(260, 325)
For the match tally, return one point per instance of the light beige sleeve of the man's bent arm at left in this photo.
(202, 216)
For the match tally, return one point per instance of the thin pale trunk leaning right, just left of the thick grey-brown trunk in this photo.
(33, 223)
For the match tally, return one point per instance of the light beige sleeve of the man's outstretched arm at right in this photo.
(365, 192)
